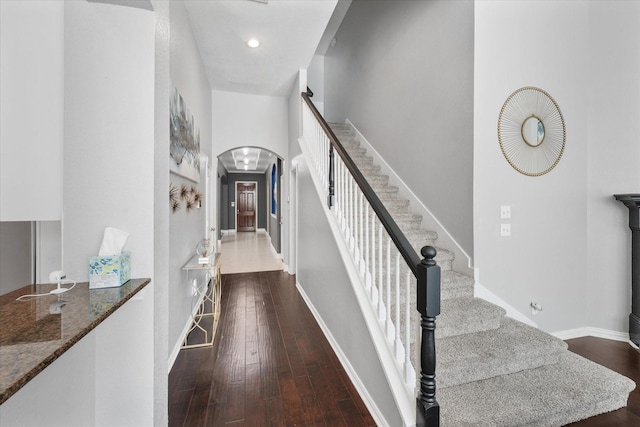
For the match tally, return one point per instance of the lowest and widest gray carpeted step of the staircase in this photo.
(551, 395)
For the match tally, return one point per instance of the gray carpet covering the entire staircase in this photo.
(493, 370)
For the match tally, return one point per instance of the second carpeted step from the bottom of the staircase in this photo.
(513, 347)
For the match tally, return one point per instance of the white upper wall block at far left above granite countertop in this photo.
(31, 110)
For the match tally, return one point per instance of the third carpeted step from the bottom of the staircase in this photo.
(460, 316)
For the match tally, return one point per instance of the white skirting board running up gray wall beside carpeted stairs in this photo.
(462, 261)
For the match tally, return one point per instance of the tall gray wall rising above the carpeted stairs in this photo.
(402, 72)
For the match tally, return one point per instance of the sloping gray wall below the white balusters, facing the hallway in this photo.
(332, 295)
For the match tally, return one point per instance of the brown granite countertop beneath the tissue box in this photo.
(35, 332)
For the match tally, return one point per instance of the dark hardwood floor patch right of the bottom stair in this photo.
(622, 358)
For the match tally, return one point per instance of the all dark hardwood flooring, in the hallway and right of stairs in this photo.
(272, 366)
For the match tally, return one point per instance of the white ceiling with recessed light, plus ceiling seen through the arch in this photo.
(289, 32)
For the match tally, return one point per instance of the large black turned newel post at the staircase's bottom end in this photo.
(427, 408)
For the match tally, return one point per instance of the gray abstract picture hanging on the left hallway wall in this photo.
(184, 150)
